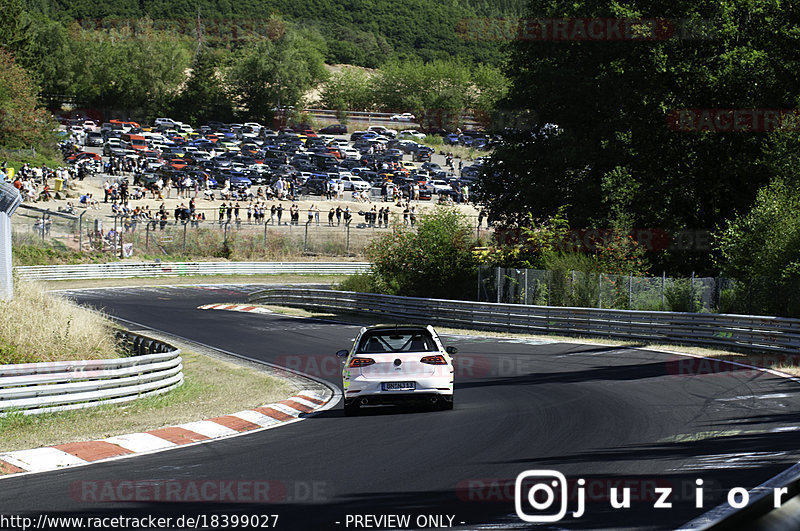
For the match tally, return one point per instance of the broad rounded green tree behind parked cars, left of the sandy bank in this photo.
(269, 74)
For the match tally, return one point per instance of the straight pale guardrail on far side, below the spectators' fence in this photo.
(177, 269)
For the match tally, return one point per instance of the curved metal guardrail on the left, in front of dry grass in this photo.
(31, 388)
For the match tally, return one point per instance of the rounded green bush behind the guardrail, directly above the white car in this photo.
(433, 261)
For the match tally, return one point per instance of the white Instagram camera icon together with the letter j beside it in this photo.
(537, 491)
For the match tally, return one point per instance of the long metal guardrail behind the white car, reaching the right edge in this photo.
(732, 331)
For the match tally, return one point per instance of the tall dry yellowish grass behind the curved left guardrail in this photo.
(37, 326)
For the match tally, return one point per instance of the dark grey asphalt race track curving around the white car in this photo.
(615, 417)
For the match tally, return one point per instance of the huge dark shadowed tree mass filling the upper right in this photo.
(611, 99)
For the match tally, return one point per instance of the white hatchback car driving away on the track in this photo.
(391, 364)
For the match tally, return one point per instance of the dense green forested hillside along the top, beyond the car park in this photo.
(365, 33)
